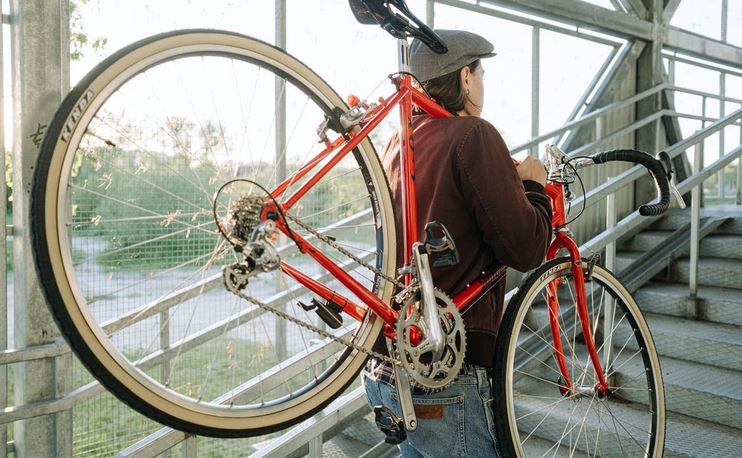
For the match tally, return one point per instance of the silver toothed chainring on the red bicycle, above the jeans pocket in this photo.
(424, 371)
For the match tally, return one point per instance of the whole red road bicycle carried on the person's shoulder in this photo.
(224, 267)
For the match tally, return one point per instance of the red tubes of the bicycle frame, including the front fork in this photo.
(334, 151)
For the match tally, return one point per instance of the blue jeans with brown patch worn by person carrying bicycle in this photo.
(456, 422)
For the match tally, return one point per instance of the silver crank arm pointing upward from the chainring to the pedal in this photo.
(433, 339)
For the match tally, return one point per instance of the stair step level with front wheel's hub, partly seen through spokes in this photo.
(700, 391)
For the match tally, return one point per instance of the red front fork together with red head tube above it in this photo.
(563, 241)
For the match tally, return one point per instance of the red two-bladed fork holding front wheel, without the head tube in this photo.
(569, 388)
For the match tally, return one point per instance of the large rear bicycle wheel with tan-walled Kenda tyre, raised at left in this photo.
(128, 251)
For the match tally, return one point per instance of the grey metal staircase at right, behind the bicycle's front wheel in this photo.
(699, 341)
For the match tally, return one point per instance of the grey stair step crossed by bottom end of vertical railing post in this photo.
(719, 305)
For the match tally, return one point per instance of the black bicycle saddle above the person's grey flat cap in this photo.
(394, 17)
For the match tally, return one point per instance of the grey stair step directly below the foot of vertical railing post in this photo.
(706, 343)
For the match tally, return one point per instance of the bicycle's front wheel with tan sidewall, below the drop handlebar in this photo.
(537, 417)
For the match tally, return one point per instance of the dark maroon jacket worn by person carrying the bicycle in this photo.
(466, 179)
